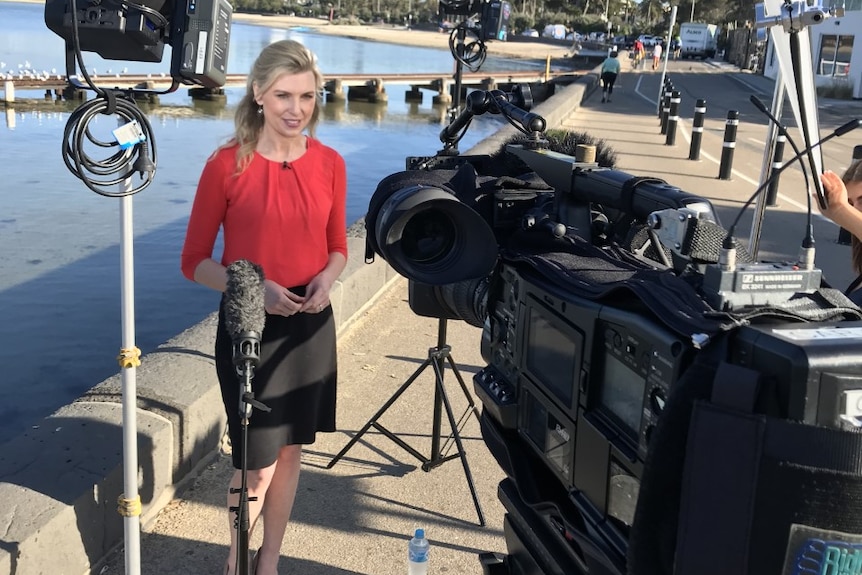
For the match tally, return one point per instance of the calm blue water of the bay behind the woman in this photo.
(59, 262)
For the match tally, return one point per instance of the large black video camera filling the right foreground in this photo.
(659, 402)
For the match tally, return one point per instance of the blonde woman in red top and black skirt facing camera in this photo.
(278, 196)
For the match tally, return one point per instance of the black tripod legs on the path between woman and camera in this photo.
(436, 358)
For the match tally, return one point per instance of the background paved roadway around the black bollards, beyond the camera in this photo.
(631, 127)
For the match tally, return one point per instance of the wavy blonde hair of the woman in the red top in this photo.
(277, 59)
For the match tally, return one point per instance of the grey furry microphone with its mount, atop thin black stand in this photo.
(245, 316)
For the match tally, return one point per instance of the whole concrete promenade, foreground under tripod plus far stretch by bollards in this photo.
(356, 518)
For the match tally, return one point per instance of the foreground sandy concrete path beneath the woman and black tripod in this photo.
(356, 518)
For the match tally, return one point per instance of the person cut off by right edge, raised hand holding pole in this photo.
(844, 199)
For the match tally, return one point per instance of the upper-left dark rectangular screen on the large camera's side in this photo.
(553, 356)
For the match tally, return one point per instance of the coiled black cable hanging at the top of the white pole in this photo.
(139, 156)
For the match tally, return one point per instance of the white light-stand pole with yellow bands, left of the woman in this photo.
(129, 501)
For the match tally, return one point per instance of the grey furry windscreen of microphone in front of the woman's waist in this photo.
(244, 309)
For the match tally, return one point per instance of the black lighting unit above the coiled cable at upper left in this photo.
(198, 32)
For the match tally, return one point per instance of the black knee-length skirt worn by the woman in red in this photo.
(296, 379)
